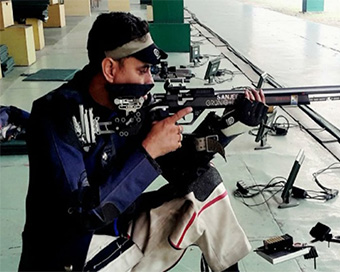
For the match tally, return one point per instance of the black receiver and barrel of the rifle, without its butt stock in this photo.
(179, 96)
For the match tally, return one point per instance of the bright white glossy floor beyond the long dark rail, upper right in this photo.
(294, 51)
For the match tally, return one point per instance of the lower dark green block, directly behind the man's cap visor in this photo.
(171, 37)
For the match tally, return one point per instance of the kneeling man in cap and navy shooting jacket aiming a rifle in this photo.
(93, 152)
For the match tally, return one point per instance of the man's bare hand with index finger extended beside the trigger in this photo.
(165, 136)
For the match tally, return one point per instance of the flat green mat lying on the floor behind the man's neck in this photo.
(52, 75)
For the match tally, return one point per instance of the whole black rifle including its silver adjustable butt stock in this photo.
(176, 97)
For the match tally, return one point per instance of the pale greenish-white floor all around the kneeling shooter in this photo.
(295, 52)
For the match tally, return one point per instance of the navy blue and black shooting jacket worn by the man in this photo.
(74, 191)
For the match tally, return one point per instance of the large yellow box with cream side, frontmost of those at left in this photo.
(20, 42)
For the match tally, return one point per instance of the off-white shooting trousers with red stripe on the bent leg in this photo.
(162, 235)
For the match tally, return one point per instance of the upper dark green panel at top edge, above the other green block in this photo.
(168, 11)
